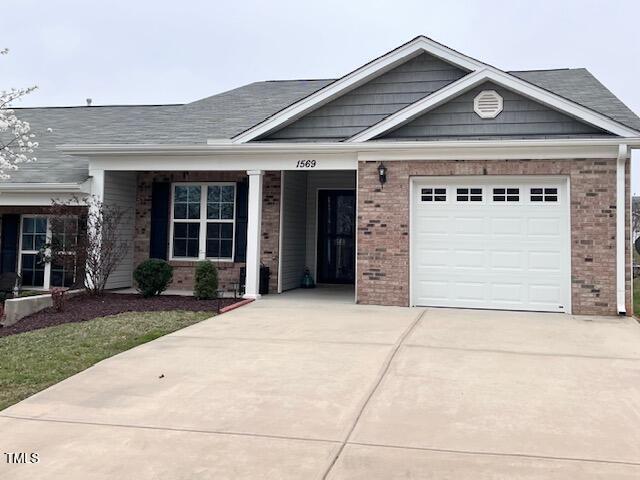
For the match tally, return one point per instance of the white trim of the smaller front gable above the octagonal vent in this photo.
(501, 78)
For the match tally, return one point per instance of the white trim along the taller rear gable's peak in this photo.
(356, 78)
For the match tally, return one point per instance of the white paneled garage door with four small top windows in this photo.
(491, 242)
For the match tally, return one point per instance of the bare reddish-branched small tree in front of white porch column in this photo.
(86, 237)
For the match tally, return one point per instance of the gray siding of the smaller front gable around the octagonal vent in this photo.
(521, 117)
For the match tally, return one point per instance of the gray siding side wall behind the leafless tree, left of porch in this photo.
(120, 190)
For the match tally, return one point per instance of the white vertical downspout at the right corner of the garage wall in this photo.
(623, 154)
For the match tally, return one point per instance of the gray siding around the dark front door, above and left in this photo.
(329, 179)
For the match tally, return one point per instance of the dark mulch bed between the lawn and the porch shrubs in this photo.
(85, 307)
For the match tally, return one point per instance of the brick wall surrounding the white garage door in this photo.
(383, 226)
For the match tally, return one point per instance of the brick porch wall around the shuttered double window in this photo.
(228, 272)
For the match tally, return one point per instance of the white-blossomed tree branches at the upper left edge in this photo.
(16, 140)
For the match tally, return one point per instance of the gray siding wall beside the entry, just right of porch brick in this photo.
(294, 215)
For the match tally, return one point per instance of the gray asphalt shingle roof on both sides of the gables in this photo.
(227, 114)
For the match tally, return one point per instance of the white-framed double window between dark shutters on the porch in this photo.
(203, 221)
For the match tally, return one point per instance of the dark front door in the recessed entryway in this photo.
(336, 241)
